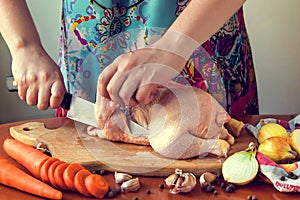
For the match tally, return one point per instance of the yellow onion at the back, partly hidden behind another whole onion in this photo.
(271, 130)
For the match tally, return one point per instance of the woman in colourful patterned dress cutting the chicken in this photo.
(95, 33)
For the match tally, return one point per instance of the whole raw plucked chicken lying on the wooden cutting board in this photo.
(182, 122)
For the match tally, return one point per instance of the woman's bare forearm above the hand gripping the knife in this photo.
(17, 26)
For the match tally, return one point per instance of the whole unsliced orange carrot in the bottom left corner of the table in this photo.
(12, 176)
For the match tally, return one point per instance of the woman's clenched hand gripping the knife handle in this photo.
(38, 77)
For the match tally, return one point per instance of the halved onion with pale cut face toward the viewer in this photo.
(241, 167)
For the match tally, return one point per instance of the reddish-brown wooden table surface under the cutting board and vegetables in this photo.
(262, 190)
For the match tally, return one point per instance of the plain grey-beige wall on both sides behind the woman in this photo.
(274, 31)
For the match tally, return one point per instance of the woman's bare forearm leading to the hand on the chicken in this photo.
(195, 25)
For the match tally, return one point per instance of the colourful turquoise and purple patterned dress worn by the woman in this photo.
(95, 32)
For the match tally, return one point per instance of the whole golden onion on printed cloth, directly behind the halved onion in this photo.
(277, 149)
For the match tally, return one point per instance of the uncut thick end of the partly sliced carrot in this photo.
(26, 155)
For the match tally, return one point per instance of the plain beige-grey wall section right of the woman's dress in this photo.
(274, 30)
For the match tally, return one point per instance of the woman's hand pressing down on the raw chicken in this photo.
(133, 78)
